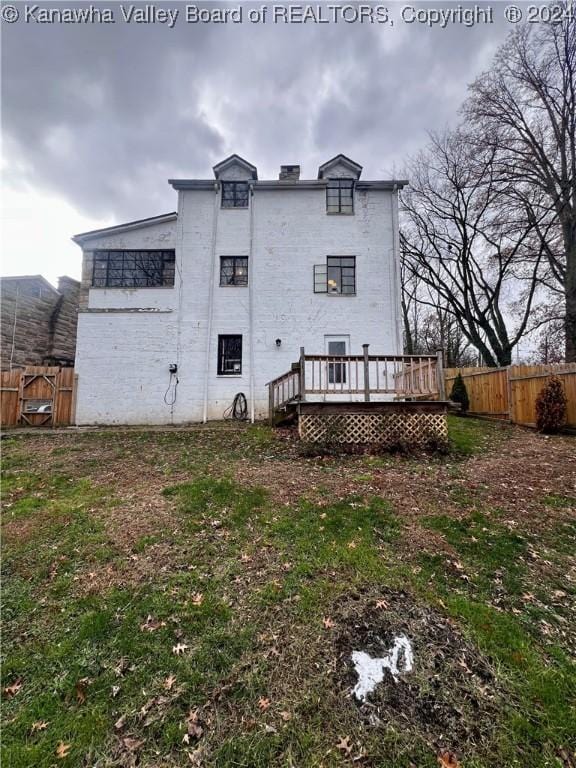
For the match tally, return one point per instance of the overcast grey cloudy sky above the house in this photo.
(96, 117)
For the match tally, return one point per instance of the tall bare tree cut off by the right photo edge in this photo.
(524, 110)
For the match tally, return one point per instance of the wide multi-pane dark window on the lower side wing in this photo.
(133, 269)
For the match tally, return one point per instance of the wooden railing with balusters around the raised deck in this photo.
(403, 376)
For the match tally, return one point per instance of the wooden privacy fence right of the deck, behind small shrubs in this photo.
(510, 393)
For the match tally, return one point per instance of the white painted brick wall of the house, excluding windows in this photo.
(123, 357)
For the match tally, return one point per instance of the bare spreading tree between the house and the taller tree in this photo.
(464, 241)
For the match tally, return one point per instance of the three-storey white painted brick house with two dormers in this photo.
(230, 287)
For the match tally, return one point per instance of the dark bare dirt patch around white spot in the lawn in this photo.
(450, 697)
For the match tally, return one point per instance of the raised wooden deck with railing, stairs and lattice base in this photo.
(375, 399)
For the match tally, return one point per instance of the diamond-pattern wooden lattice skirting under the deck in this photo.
(418, 429)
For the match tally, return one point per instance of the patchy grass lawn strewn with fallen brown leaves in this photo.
(177, 598)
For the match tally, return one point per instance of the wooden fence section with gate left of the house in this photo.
(37, 396)
